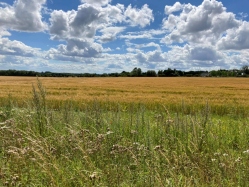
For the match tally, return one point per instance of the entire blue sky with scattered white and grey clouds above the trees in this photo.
(107, 36)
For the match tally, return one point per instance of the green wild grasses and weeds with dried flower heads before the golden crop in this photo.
(120, 144)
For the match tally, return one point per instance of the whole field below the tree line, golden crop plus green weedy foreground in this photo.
(124, 131)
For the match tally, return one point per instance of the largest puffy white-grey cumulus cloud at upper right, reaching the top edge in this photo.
(206, 23)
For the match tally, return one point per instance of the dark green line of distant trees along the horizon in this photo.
(136, 72)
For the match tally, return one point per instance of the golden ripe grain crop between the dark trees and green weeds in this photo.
(215, 91)
